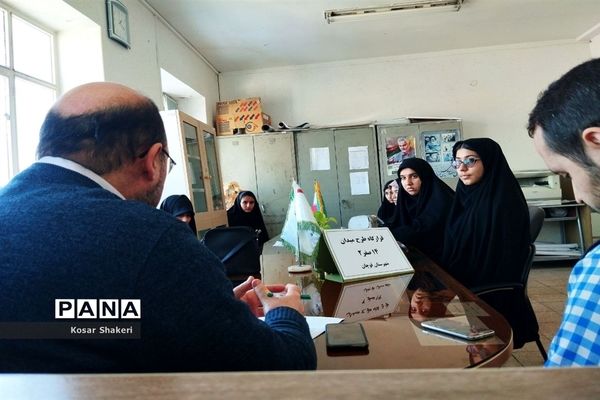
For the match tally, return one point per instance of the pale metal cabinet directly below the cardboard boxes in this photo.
(264, 164)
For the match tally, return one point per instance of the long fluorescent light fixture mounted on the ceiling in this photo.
(350, 14)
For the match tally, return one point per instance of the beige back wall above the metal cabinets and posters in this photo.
(491, 89)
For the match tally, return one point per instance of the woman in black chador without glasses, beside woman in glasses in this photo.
(422, 207)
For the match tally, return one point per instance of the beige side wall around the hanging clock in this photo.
(153, 46)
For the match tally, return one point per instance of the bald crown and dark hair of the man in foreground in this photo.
(101, 126)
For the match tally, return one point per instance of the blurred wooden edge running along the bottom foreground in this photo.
(414, 384)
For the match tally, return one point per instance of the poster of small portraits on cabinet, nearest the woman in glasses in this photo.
(437, 150)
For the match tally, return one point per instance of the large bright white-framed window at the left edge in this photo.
(27, 90)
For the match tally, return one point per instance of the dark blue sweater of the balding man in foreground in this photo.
(64, 237)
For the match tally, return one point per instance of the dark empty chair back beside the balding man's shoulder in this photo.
(237, 248)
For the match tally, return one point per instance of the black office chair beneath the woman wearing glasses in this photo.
(511, 299)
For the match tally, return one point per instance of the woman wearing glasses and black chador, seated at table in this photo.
(487, 233)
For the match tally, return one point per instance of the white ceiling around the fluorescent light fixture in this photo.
(249, 34)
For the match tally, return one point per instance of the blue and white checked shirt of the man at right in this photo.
(577, 342)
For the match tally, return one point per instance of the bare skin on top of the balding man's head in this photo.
(96, 96)
